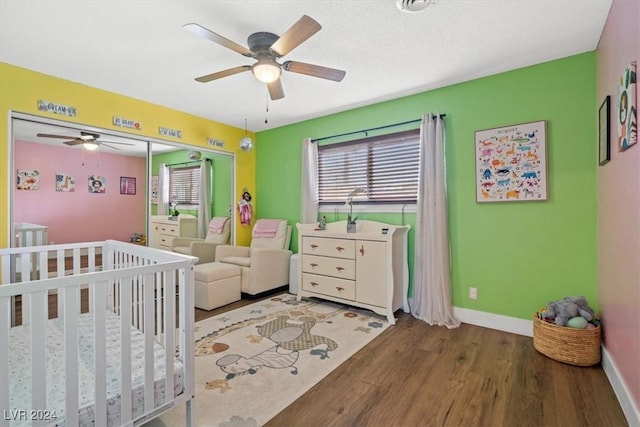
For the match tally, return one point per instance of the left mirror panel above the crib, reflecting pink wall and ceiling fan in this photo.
(63, 191)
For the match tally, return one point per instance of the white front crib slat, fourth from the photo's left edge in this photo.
(98, 296)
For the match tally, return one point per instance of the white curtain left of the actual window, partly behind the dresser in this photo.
(309, 192)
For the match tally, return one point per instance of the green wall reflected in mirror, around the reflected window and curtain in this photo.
(221, 165)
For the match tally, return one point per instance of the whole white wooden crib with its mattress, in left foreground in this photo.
(116, 349)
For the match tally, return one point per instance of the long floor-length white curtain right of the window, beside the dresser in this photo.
(431, 299)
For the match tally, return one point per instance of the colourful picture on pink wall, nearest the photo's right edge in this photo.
(627, 113)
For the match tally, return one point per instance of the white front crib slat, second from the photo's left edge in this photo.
(38, 335)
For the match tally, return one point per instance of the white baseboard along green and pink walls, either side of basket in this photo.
(525, 327)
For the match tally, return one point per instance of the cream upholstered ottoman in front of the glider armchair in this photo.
(216, 284)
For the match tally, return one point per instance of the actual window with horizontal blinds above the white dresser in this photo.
(386, 166)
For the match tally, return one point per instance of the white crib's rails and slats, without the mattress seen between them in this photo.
(139, 284)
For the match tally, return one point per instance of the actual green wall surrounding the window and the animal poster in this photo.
(519, 255)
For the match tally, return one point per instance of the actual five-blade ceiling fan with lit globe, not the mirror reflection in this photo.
(267, 48)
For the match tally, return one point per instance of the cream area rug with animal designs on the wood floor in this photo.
(253, 362)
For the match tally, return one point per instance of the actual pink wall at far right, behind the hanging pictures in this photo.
(619, 206)
